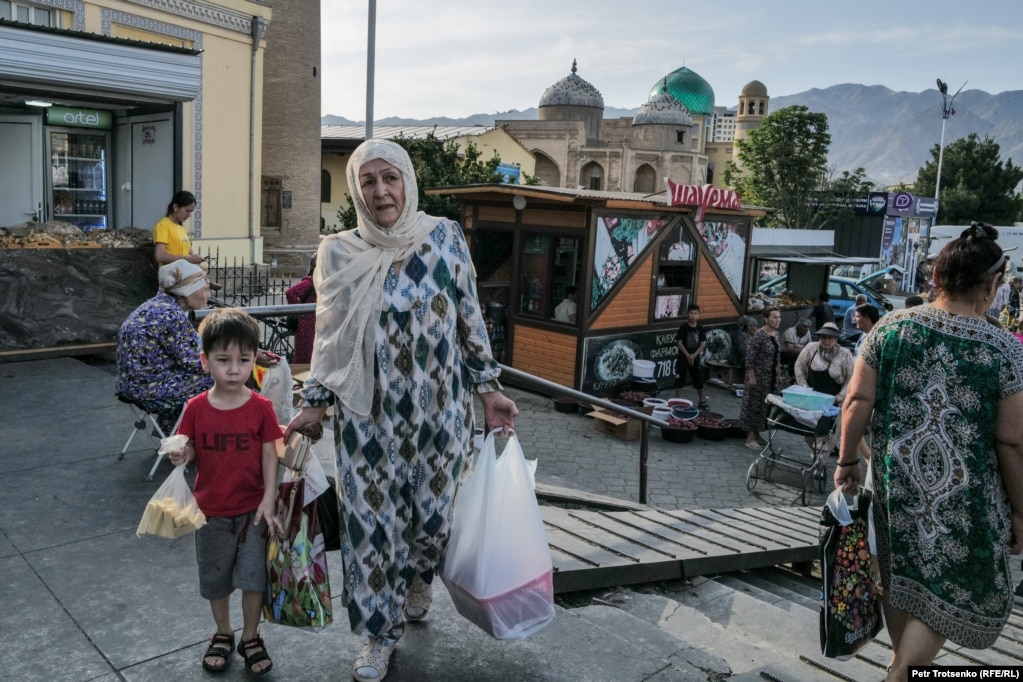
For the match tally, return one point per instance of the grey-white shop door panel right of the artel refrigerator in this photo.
(152, 170)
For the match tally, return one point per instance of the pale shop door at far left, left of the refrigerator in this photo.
(21, 172)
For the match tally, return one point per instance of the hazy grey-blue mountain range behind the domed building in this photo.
(889, 134)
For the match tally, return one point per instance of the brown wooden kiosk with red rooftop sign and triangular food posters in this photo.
(636, 262)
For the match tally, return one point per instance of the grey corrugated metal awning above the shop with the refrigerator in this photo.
(75, 62)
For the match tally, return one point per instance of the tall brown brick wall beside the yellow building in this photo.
(292, 129)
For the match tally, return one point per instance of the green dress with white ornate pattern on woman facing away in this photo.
(941, 507)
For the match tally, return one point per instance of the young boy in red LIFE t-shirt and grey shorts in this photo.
(233, 434)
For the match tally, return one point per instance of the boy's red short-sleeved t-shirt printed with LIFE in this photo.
(230, 452)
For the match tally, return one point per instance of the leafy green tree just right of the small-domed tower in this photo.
(784, 165)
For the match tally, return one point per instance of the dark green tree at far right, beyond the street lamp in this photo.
(975, 184)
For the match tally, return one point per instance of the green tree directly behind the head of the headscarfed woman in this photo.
(438, 165)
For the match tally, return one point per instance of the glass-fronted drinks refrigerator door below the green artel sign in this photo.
(78, 177)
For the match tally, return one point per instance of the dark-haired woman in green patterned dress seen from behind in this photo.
(946, 390)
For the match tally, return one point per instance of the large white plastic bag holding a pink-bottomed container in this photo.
(499, 569)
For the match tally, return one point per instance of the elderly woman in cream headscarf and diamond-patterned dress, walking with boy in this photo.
(402, 347)
